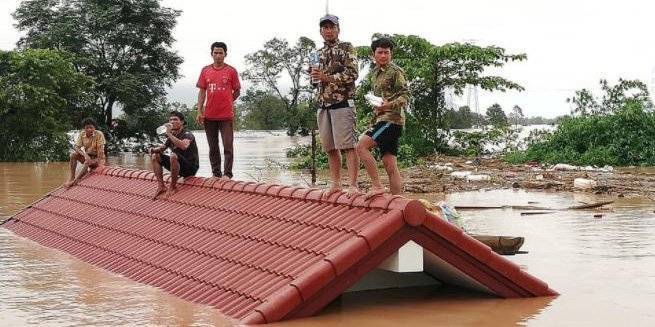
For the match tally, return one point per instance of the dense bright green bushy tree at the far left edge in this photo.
(40, 91)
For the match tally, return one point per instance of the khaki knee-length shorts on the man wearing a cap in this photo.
(337, 128)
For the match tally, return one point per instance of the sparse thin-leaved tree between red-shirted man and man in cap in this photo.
(280, 60)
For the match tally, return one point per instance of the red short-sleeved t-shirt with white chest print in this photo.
(219, 84)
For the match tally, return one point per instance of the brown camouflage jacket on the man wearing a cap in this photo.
(339, 62)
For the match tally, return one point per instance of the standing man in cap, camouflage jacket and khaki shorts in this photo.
(336, 117)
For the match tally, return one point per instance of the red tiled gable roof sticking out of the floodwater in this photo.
(257, 252)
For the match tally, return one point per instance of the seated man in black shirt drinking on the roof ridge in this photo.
(183, 160)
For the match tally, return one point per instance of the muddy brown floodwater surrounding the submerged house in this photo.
(604, 267)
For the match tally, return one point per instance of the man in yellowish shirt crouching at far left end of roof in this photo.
(89, 150)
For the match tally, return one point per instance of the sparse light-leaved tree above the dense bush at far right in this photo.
(614, 98)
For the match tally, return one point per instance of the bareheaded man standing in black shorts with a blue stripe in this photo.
(388, 81)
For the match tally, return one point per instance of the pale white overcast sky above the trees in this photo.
(570, 44)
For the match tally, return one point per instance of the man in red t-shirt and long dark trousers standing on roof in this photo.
(218, 86)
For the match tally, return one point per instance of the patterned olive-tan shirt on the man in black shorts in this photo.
(389, 83)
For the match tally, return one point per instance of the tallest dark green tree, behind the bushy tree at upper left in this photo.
(125, 45)
